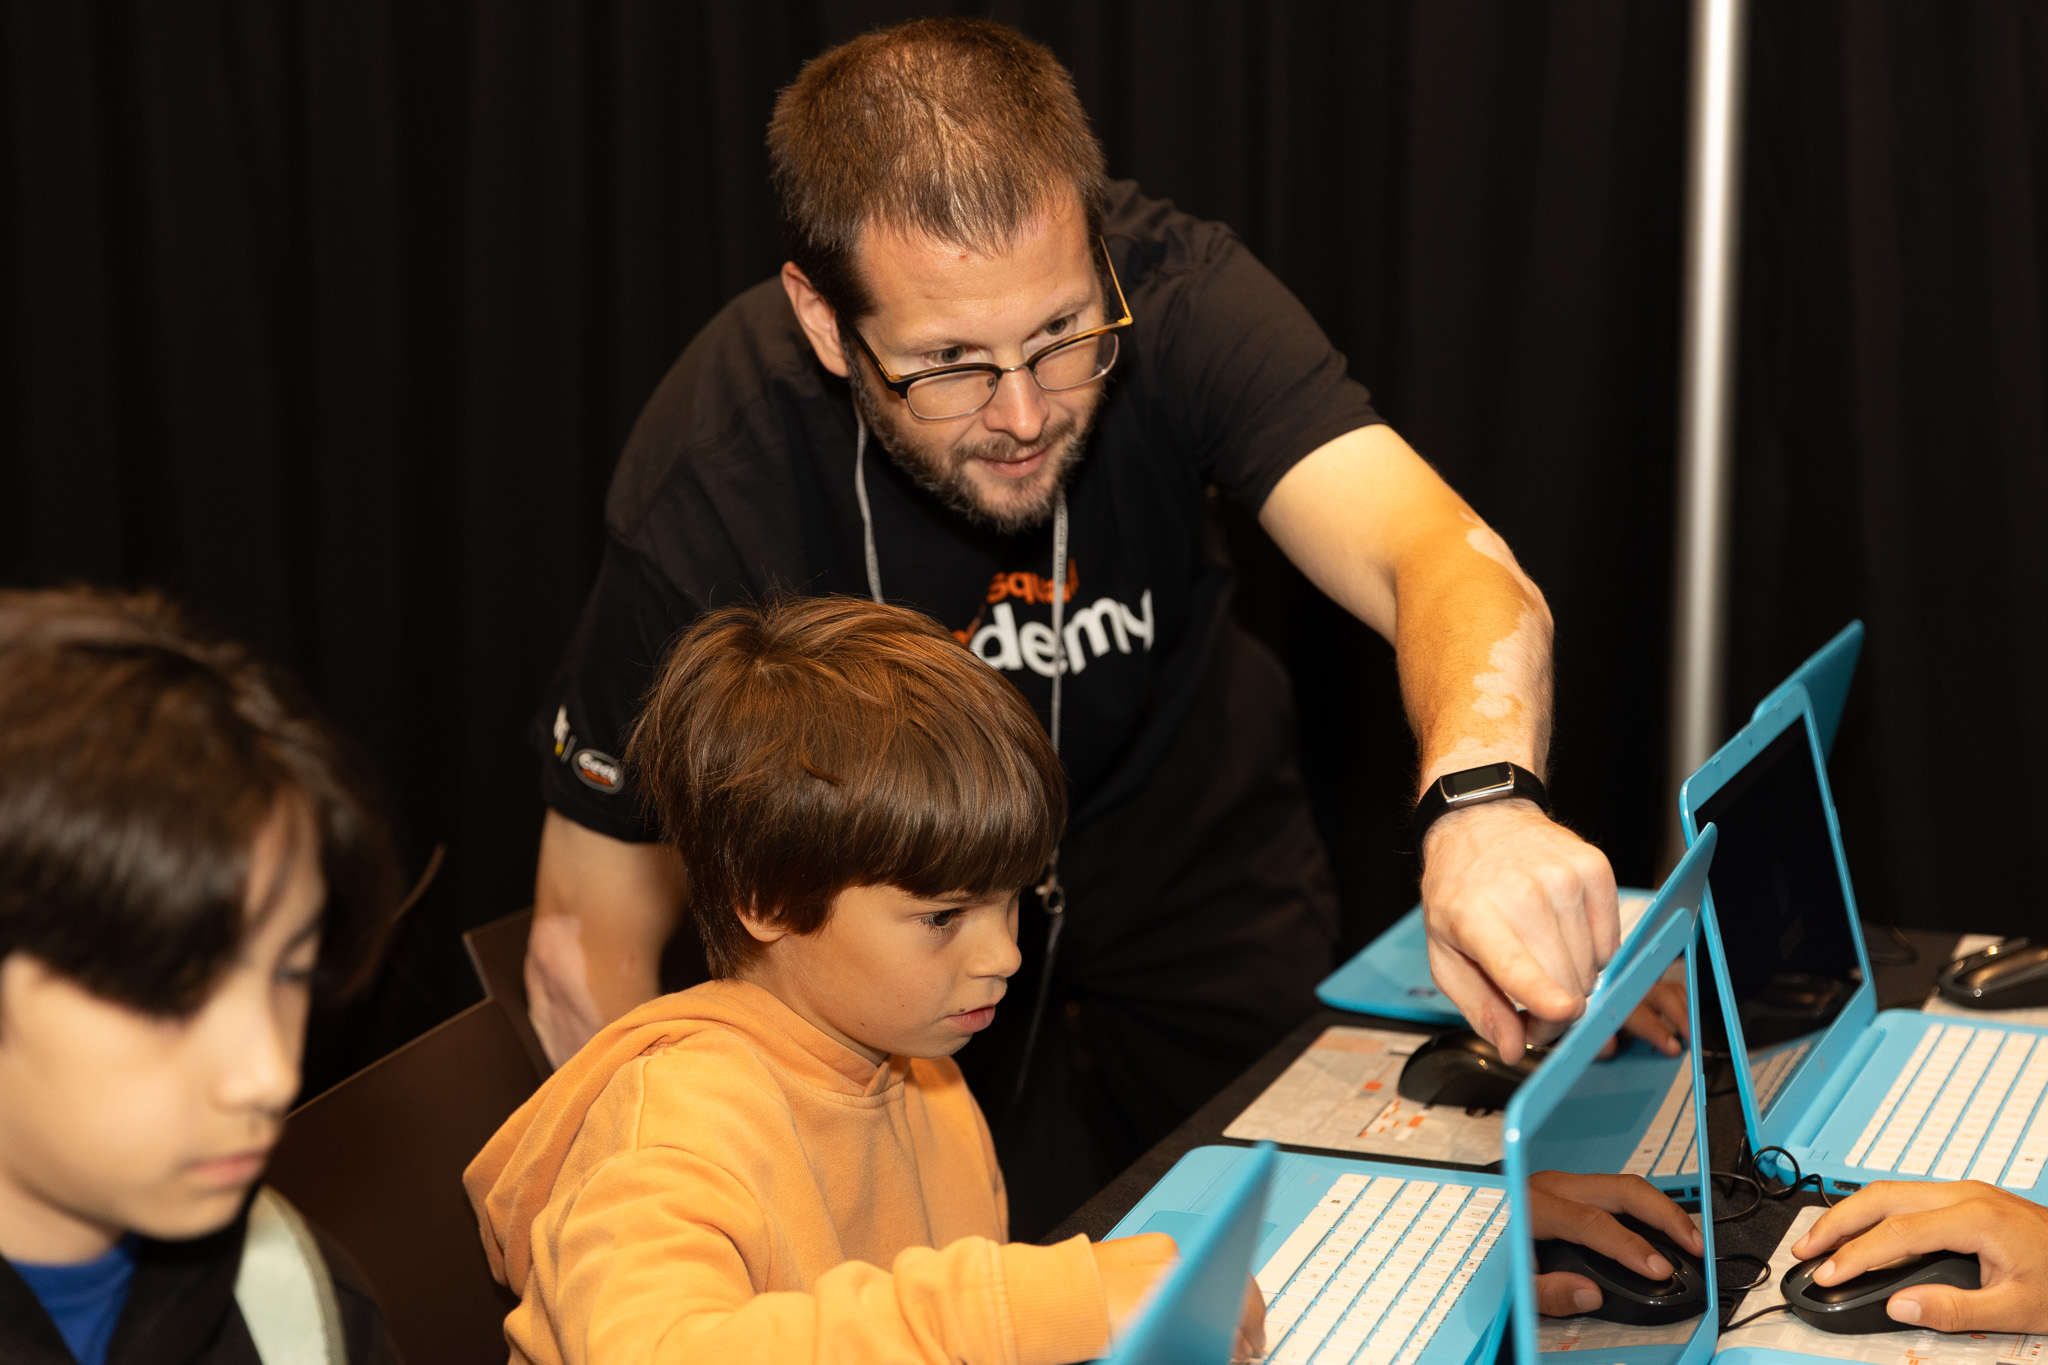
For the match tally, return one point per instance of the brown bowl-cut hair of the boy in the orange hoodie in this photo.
(814, 744)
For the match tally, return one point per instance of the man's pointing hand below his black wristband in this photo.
(1521, 912)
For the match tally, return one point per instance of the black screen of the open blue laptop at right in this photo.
(1793, 961)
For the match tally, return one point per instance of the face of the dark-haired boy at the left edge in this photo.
(122, 1122)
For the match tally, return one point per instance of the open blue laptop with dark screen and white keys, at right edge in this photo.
(1848, 1094)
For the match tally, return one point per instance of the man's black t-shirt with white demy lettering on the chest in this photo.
(738, 480)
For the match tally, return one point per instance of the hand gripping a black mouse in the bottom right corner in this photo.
(1906, 1219)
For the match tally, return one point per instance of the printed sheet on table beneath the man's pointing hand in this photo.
(1340, 1096)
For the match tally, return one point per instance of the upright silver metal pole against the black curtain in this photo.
(1707, 392)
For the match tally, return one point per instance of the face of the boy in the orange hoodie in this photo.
(892, 973)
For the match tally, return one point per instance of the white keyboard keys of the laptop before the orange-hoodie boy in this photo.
(1375, 1270)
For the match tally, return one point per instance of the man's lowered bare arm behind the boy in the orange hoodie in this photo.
(603, 912)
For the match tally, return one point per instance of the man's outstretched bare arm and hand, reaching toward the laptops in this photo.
(1521, 910)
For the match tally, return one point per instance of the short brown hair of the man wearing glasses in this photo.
(959, 130)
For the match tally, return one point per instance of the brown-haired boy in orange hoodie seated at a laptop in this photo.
(783, 1163)
